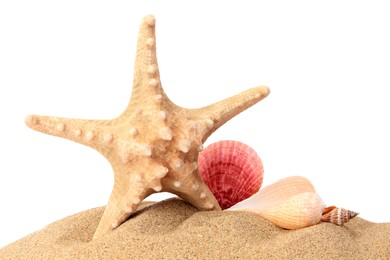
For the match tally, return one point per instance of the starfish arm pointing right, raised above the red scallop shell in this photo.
(211, 117)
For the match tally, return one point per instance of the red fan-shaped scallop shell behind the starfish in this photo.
(232, 170)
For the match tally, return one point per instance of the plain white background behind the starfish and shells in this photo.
(327, 117)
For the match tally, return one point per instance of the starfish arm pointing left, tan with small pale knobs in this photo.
(81, 131)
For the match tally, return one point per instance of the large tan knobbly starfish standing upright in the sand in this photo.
(153, 145)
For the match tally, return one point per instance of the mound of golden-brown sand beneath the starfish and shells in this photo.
(173, 229)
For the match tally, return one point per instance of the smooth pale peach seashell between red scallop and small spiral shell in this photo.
(290, 203)
